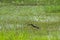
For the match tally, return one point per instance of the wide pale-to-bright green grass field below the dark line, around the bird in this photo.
(14, 22)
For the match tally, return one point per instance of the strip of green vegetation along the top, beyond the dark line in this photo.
(30, 2)
